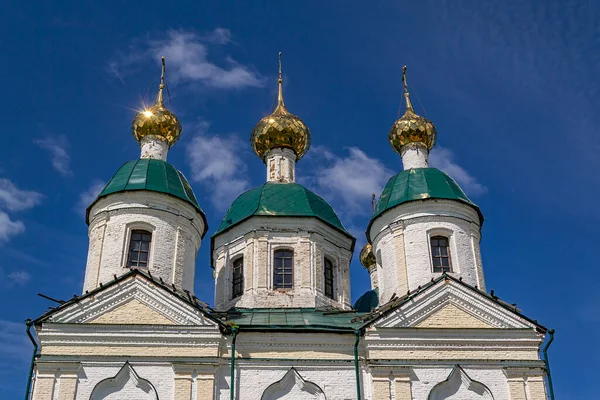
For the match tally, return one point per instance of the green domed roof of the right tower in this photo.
(420, 184)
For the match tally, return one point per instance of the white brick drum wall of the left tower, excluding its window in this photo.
(176, 229)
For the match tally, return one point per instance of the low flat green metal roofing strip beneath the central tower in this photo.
(295, 319)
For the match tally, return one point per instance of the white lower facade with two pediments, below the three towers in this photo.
(84, 356)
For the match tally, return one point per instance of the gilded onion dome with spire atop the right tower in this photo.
(411, 128)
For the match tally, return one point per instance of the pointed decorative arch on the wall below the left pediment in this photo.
(125, 384)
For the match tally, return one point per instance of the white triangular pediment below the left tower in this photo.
(133, 301)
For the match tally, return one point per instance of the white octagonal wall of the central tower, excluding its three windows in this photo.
(256, 240)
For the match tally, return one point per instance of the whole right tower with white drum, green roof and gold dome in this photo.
(423, 224)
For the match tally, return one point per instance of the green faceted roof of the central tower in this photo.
(281, 200)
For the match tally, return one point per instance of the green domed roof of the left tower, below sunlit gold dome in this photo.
(151, 175)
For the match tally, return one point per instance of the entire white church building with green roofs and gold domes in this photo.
(282, 324)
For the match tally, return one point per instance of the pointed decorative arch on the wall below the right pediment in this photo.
(459, 386)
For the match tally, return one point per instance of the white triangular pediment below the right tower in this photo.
(450, 304)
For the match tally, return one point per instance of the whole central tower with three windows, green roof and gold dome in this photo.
(281, 245)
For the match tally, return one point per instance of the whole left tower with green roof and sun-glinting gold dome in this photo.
(147, 216)
